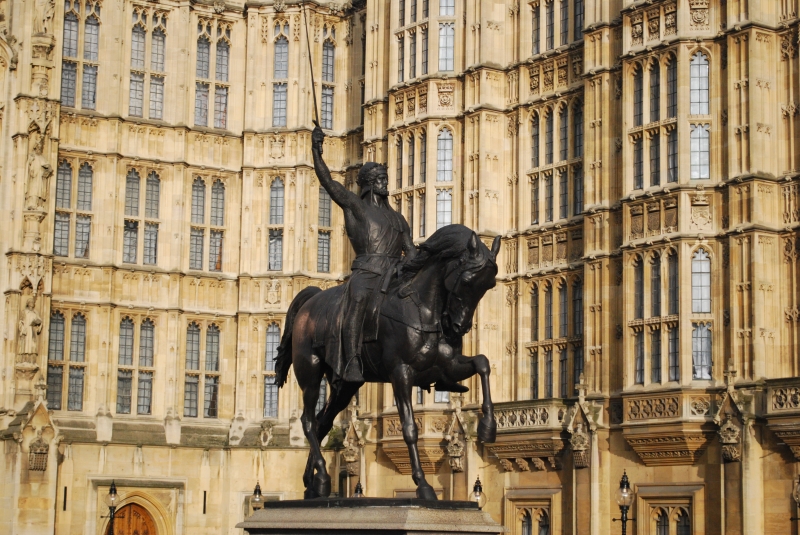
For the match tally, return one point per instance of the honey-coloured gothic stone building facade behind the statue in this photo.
(160, 210)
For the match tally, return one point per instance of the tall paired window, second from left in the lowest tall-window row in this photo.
(135, 375)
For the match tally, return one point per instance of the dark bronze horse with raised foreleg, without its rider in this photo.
(421, 320)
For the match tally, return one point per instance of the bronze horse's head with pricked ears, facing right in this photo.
(467, 279)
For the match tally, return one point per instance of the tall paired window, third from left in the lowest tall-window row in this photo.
(202, 371)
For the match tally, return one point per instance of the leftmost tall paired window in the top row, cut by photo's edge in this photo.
(73, 62)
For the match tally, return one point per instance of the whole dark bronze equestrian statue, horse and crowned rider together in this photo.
(406, 315)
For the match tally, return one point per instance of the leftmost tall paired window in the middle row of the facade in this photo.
(68, 210)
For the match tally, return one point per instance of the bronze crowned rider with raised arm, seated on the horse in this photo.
(379, 235)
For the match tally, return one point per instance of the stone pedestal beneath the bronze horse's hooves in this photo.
(370, 516)
